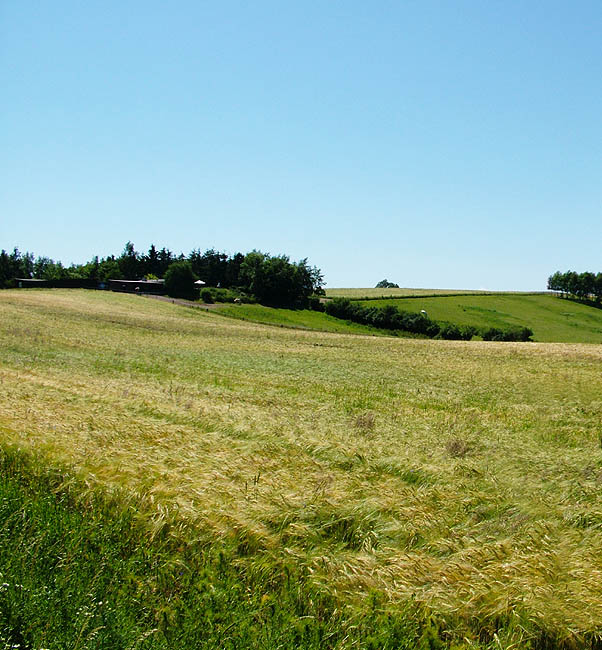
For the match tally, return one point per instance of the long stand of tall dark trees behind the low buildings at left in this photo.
(271, 279)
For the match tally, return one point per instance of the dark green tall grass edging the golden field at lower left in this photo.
(80, 569)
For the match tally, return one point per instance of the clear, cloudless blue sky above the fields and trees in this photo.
(449, 144)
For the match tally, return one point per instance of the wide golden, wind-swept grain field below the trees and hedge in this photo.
(455, 485)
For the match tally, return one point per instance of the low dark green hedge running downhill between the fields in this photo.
(390, 317)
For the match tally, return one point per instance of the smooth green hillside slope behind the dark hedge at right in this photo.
(551, 318)
